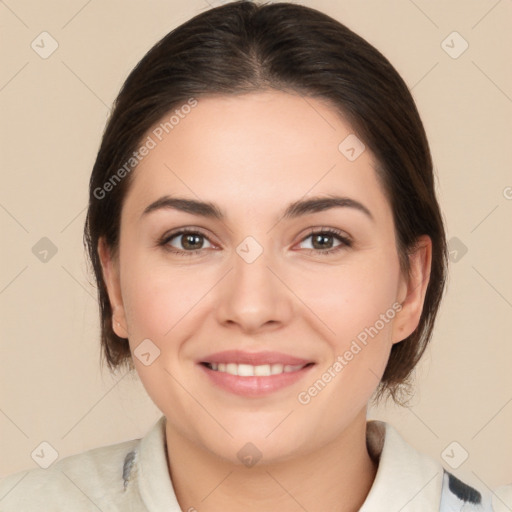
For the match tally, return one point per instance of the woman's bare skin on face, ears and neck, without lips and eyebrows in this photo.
(252, 155)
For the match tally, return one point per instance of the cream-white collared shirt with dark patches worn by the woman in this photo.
(133, 476)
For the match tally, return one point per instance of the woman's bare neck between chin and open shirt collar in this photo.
(336, 477)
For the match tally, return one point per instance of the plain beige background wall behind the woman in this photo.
(53, 112)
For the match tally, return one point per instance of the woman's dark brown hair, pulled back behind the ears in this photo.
(242, 47)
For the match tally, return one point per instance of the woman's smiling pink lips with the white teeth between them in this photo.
(254, 374)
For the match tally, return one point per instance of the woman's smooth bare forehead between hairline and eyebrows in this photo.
(253, 151)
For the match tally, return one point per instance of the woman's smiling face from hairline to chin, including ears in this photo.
(267, 323)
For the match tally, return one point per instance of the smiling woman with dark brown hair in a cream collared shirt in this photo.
(270, 256)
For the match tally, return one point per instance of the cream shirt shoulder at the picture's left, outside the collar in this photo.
(77, 482)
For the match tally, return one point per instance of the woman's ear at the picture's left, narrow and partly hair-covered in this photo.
(110, 269)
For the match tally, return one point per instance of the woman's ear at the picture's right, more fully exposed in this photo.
(412, 289)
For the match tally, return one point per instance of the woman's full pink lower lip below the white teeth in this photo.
(254, 386)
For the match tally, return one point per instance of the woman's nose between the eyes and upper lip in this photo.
(254, 295)
